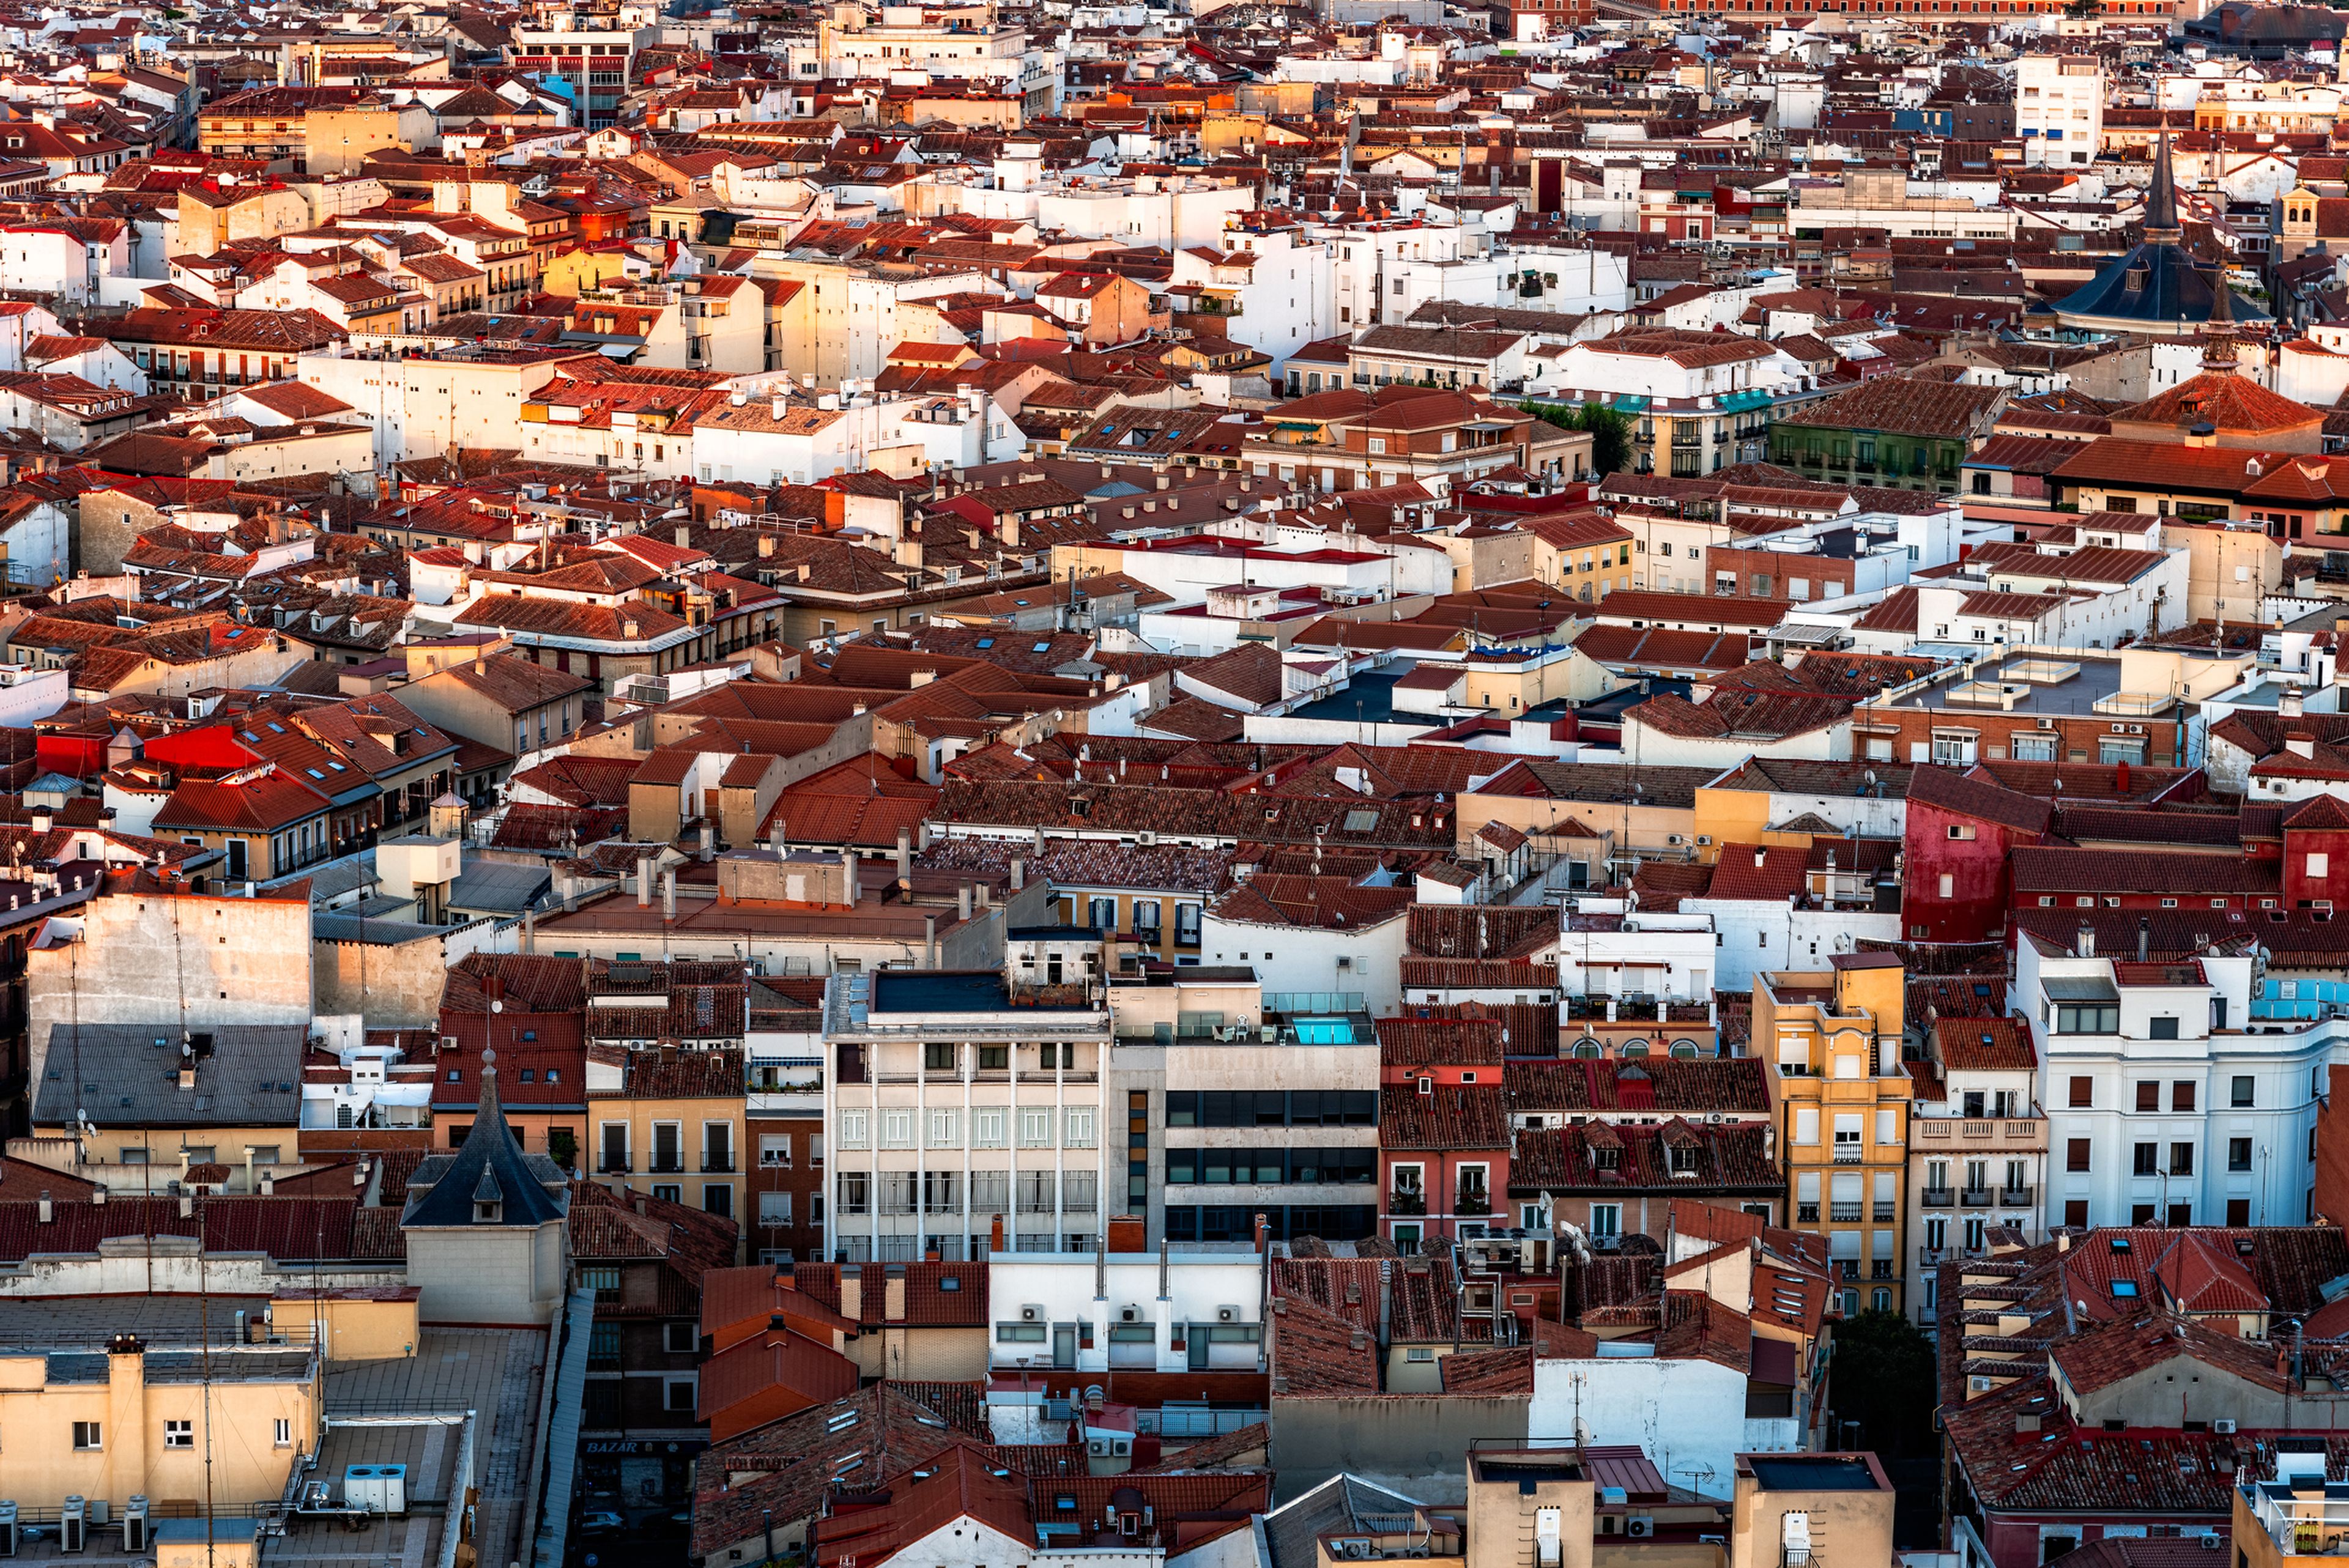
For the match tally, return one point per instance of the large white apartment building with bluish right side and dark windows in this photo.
(2165, 1104)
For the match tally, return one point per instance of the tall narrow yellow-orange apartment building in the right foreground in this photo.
(1831, 1046)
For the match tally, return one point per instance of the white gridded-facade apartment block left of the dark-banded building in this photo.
(962, 1102)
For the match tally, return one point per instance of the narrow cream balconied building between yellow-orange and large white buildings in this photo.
(1977, 1147)
